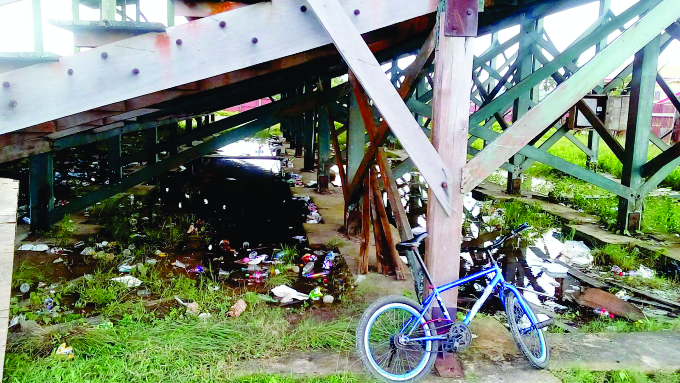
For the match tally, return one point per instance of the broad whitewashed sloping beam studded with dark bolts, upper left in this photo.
(47, 93)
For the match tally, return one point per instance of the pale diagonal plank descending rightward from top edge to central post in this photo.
(347, 39)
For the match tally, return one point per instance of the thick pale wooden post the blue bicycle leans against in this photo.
(451, 107)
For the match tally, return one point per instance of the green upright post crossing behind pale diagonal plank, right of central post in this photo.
(521, 105)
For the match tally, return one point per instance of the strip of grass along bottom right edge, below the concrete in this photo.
(585, 376)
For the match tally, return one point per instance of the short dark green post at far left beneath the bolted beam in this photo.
(41, 188)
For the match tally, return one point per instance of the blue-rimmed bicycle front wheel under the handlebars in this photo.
(529, 339)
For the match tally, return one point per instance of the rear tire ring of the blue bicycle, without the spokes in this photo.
(368, 318)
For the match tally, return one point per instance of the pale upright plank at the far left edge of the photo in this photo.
(9, 194)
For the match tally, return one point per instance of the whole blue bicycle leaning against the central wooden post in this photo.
(397, 340)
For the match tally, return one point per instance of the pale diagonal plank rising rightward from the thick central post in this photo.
(568, 93)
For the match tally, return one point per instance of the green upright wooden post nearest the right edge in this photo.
(637, 133)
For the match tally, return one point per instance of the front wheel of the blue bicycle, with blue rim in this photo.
(511, 310)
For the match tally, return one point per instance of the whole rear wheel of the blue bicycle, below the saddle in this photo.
(381, 343)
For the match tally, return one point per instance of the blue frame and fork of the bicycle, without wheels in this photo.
(497, 281)
